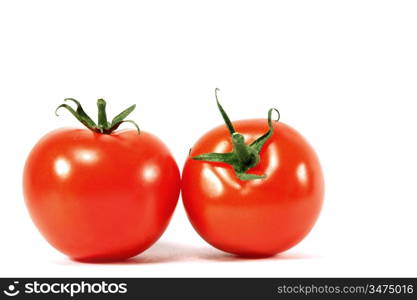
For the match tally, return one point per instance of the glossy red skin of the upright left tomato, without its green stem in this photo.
(100, 197)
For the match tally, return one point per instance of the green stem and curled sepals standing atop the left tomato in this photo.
(103, 126)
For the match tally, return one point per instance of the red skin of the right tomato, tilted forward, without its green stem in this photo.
(257, 217)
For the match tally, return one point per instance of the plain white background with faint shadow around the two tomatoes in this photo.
(343, 73)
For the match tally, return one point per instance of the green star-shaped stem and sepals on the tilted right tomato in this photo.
(243, 157)
